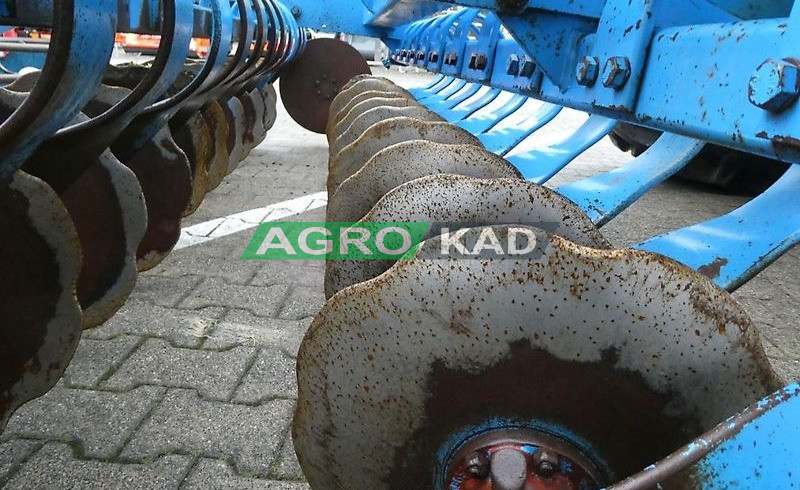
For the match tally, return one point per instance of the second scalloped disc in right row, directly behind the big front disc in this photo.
(455, 201)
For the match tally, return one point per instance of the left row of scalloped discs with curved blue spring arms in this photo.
(99, 163)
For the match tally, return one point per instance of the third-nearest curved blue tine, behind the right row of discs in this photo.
(541, 164)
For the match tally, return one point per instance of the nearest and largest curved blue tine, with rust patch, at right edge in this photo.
(733, 248)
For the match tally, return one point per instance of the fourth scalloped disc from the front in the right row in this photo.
(387, 133)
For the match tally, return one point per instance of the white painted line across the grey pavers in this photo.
(234, 223)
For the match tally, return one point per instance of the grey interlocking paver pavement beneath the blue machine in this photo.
(191, 385)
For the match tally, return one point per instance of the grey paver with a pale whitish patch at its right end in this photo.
(182, 328)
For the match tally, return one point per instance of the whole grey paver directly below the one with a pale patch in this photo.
(213, 374)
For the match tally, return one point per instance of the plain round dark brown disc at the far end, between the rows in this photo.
(311, 82)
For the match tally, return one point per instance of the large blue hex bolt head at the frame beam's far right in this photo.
(775, 85)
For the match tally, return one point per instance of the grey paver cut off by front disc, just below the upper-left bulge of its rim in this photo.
(272, 375)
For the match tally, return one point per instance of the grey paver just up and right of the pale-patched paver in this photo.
(263, 301)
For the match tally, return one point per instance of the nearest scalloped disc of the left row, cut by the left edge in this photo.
(40, 317)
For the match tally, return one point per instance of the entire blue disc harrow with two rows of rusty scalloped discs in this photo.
(515, 348)
